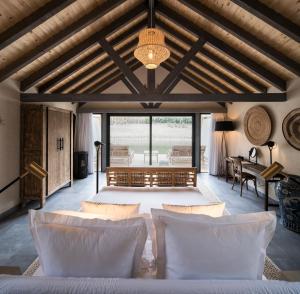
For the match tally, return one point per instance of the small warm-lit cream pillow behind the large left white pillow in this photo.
(111, 211)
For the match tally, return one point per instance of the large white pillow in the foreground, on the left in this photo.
(70, 246)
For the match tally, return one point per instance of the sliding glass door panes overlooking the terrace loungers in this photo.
(156, 140)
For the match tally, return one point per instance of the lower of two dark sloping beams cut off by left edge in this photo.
(56, 39)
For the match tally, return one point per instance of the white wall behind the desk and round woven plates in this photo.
(284, 153)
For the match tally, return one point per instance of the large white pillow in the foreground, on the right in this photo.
(202, 247)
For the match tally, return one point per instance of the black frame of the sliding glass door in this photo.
(150, 115)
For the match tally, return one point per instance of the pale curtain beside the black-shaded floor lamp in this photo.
(216, 160)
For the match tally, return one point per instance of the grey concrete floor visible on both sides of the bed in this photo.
(17, 248)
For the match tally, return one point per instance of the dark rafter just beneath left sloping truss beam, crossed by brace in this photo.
(71, 70)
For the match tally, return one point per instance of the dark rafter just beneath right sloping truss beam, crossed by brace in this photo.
(229, 68)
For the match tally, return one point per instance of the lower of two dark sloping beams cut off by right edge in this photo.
(244, 36)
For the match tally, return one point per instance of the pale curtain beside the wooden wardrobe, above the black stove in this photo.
(84, 137)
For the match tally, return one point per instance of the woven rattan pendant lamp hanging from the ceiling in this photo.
(151, 49)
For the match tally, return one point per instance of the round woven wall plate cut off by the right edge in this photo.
(291, 128)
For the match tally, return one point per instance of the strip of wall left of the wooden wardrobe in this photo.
(9, 143)
